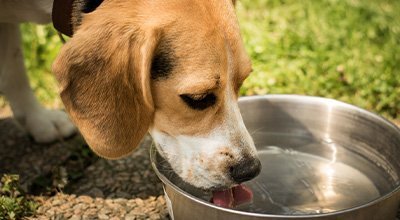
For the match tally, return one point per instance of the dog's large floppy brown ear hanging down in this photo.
(104, 78)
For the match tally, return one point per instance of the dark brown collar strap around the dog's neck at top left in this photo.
(62, 16)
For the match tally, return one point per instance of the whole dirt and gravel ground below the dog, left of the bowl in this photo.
(97, 188)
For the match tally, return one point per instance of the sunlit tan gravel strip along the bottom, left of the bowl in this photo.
(64, 206)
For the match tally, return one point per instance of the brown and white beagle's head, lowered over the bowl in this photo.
(173, 68)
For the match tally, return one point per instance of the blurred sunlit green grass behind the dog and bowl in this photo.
(343, 49)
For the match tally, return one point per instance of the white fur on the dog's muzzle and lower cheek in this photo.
(197, 159)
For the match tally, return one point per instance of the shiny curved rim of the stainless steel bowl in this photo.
(313, 99)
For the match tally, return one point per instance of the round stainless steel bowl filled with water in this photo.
(322, 159)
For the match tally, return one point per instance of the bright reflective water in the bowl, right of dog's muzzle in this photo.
(299, 183)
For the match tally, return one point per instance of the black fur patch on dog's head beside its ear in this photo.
(163, 61)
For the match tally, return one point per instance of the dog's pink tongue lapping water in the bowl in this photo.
(232, 197)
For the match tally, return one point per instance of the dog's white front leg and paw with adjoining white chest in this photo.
(44, 125)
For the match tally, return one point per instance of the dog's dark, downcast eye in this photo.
(199, 102)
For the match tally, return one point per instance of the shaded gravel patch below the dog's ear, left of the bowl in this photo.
(124, 178)
